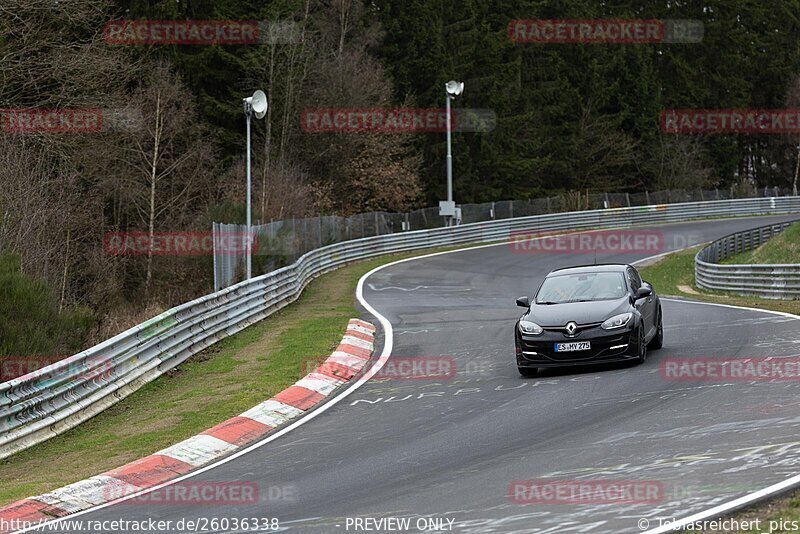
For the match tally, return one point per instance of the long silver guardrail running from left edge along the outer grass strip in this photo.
(43, 404)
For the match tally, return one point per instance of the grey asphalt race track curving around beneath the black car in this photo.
(451, 448)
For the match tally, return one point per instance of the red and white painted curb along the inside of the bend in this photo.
(344, 363)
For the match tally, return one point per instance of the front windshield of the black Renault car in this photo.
(581, 287)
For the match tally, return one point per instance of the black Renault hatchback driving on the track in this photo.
(588, 315)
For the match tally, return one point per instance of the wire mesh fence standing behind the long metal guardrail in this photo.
(279, 243)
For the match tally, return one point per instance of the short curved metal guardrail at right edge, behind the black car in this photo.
(770, 281)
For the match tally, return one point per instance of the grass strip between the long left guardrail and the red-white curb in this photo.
(220, 382)
